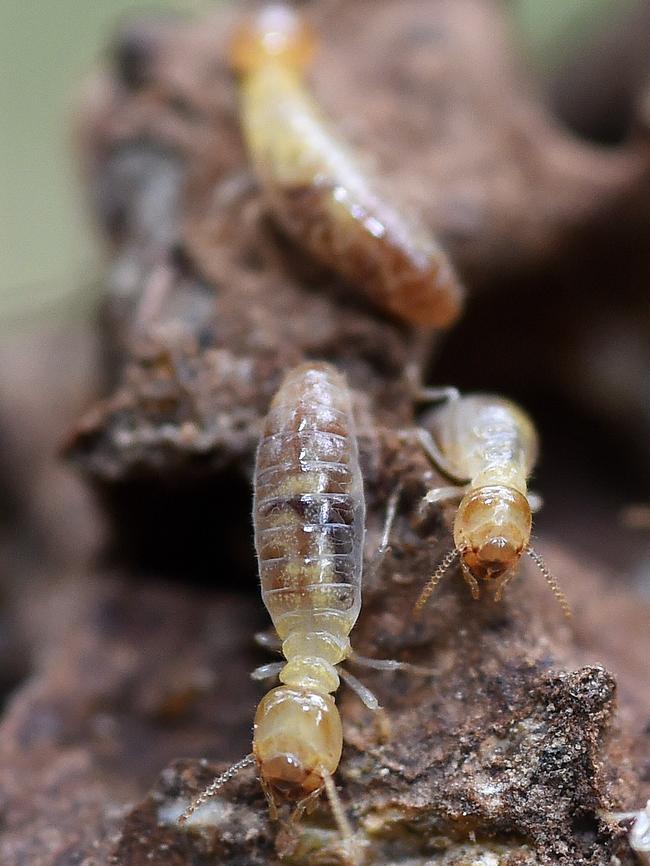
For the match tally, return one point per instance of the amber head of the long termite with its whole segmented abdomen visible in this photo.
(297, 741)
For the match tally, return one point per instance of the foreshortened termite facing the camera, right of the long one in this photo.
(487, 446)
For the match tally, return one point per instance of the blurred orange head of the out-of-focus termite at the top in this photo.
(275, 34)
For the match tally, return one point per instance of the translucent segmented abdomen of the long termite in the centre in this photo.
(309, 510)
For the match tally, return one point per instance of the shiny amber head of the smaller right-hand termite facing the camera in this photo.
(491, 531)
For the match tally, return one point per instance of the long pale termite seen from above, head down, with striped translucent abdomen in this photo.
(309, 524)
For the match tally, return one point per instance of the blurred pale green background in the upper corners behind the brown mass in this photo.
(47, 255)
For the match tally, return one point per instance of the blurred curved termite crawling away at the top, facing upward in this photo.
(319, 192)
